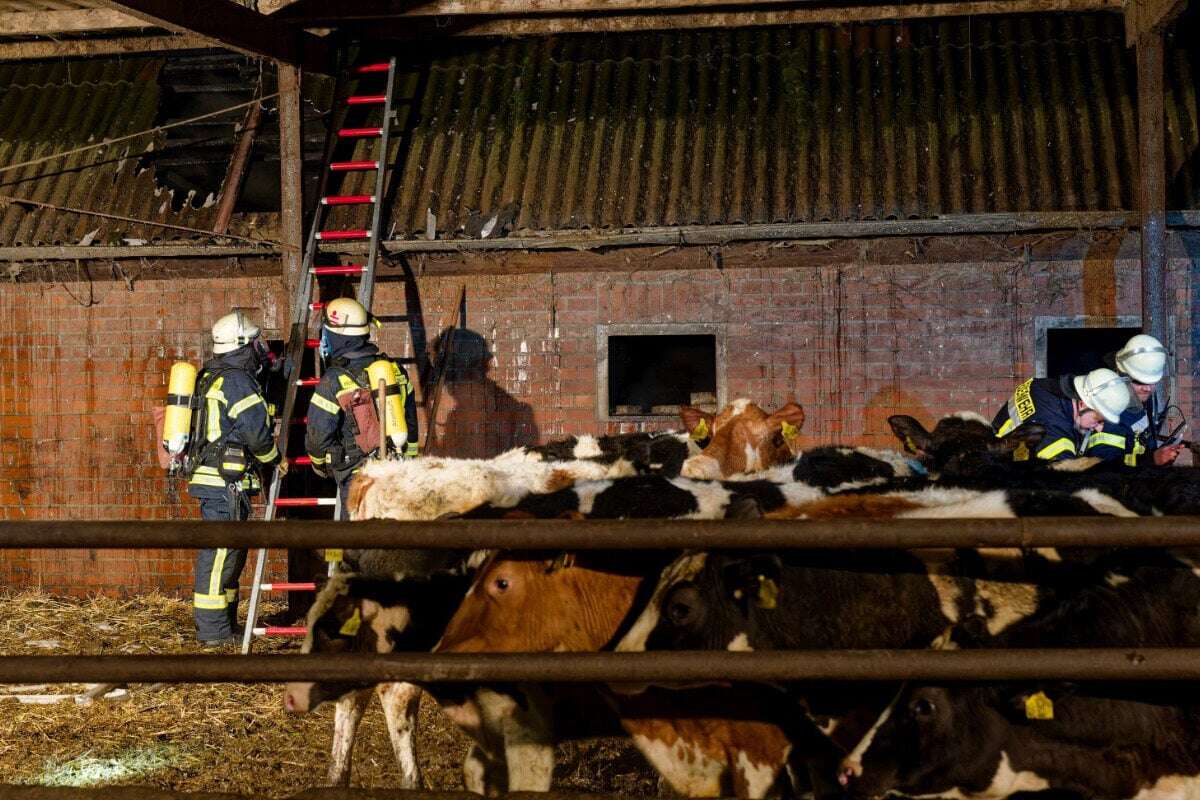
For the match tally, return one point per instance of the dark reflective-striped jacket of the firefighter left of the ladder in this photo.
(233, 413)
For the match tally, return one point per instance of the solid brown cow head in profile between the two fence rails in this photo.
(539, 604)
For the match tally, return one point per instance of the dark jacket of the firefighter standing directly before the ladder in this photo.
(331, 441)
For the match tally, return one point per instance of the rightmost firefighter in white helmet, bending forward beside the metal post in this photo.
(1143, 360)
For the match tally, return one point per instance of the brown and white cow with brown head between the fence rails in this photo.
(704, 744)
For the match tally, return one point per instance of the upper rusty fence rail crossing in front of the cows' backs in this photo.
(613, 534)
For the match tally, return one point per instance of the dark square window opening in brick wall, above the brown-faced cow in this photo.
(657, 375)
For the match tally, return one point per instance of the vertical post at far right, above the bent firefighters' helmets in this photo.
(1153, 184)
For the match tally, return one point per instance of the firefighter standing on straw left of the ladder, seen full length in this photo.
(232, 437)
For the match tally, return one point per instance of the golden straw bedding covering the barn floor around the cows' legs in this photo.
(219, 737)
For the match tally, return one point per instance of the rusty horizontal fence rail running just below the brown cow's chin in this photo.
(662, 667)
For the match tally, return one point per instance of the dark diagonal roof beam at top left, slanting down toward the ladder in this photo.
(237, 28)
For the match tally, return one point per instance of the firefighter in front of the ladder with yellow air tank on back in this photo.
(344, 404)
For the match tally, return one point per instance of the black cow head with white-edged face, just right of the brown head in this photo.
(707, 601)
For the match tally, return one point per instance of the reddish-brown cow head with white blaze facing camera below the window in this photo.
(743, 440)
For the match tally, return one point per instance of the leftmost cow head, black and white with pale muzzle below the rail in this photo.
(359, 615)
